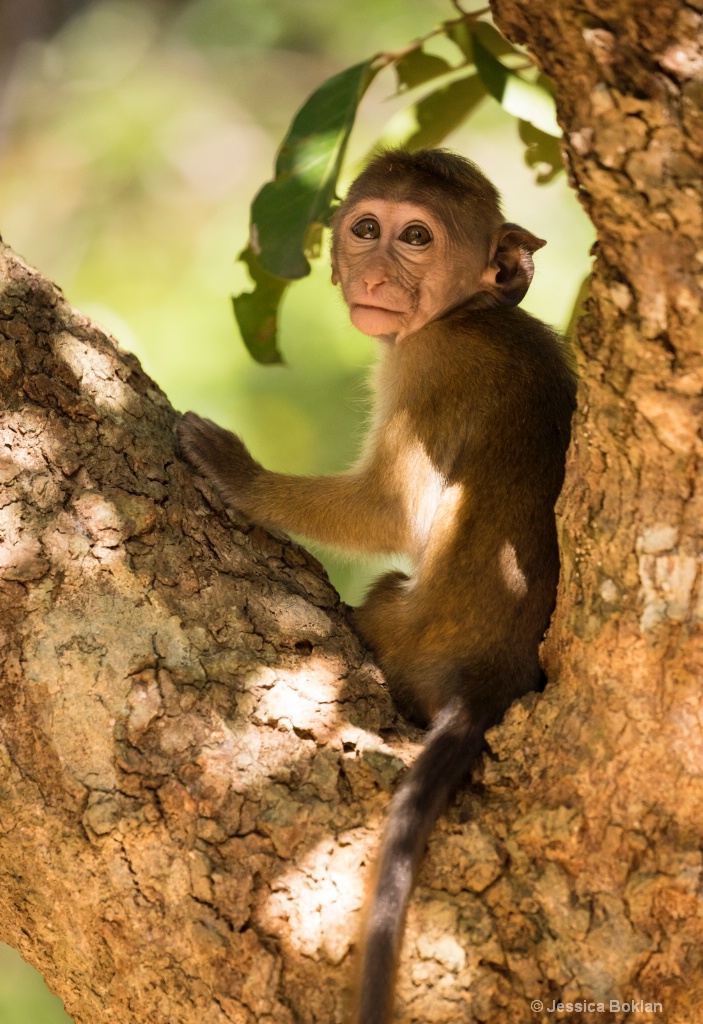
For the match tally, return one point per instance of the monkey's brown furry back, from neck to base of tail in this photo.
(490, 396)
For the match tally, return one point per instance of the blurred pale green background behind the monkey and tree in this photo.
(134, 138)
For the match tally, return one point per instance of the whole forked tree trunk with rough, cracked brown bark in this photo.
(194, 774)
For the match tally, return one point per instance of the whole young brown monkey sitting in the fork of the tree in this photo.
(462, 468)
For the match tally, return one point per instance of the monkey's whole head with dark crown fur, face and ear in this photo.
(421, 234)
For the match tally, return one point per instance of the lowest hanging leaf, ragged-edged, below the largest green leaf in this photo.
(257, 312)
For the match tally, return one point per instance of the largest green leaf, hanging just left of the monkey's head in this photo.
(307, 169)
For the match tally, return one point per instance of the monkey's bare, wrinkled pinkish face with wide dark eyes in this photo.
(399, 269)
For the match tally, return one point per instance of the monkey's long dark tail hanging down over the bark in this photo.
(451, 750)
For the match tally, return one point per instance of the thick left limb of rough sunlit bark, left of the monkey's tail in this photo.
(191, 765)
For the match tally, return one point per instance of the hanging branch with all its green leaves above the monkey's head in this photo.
(290, 214)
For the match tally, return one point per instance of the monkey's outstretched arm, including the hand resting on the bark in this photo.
(354, 511)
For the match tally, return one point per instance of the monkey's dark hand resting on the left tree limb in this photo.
(221, 457)
